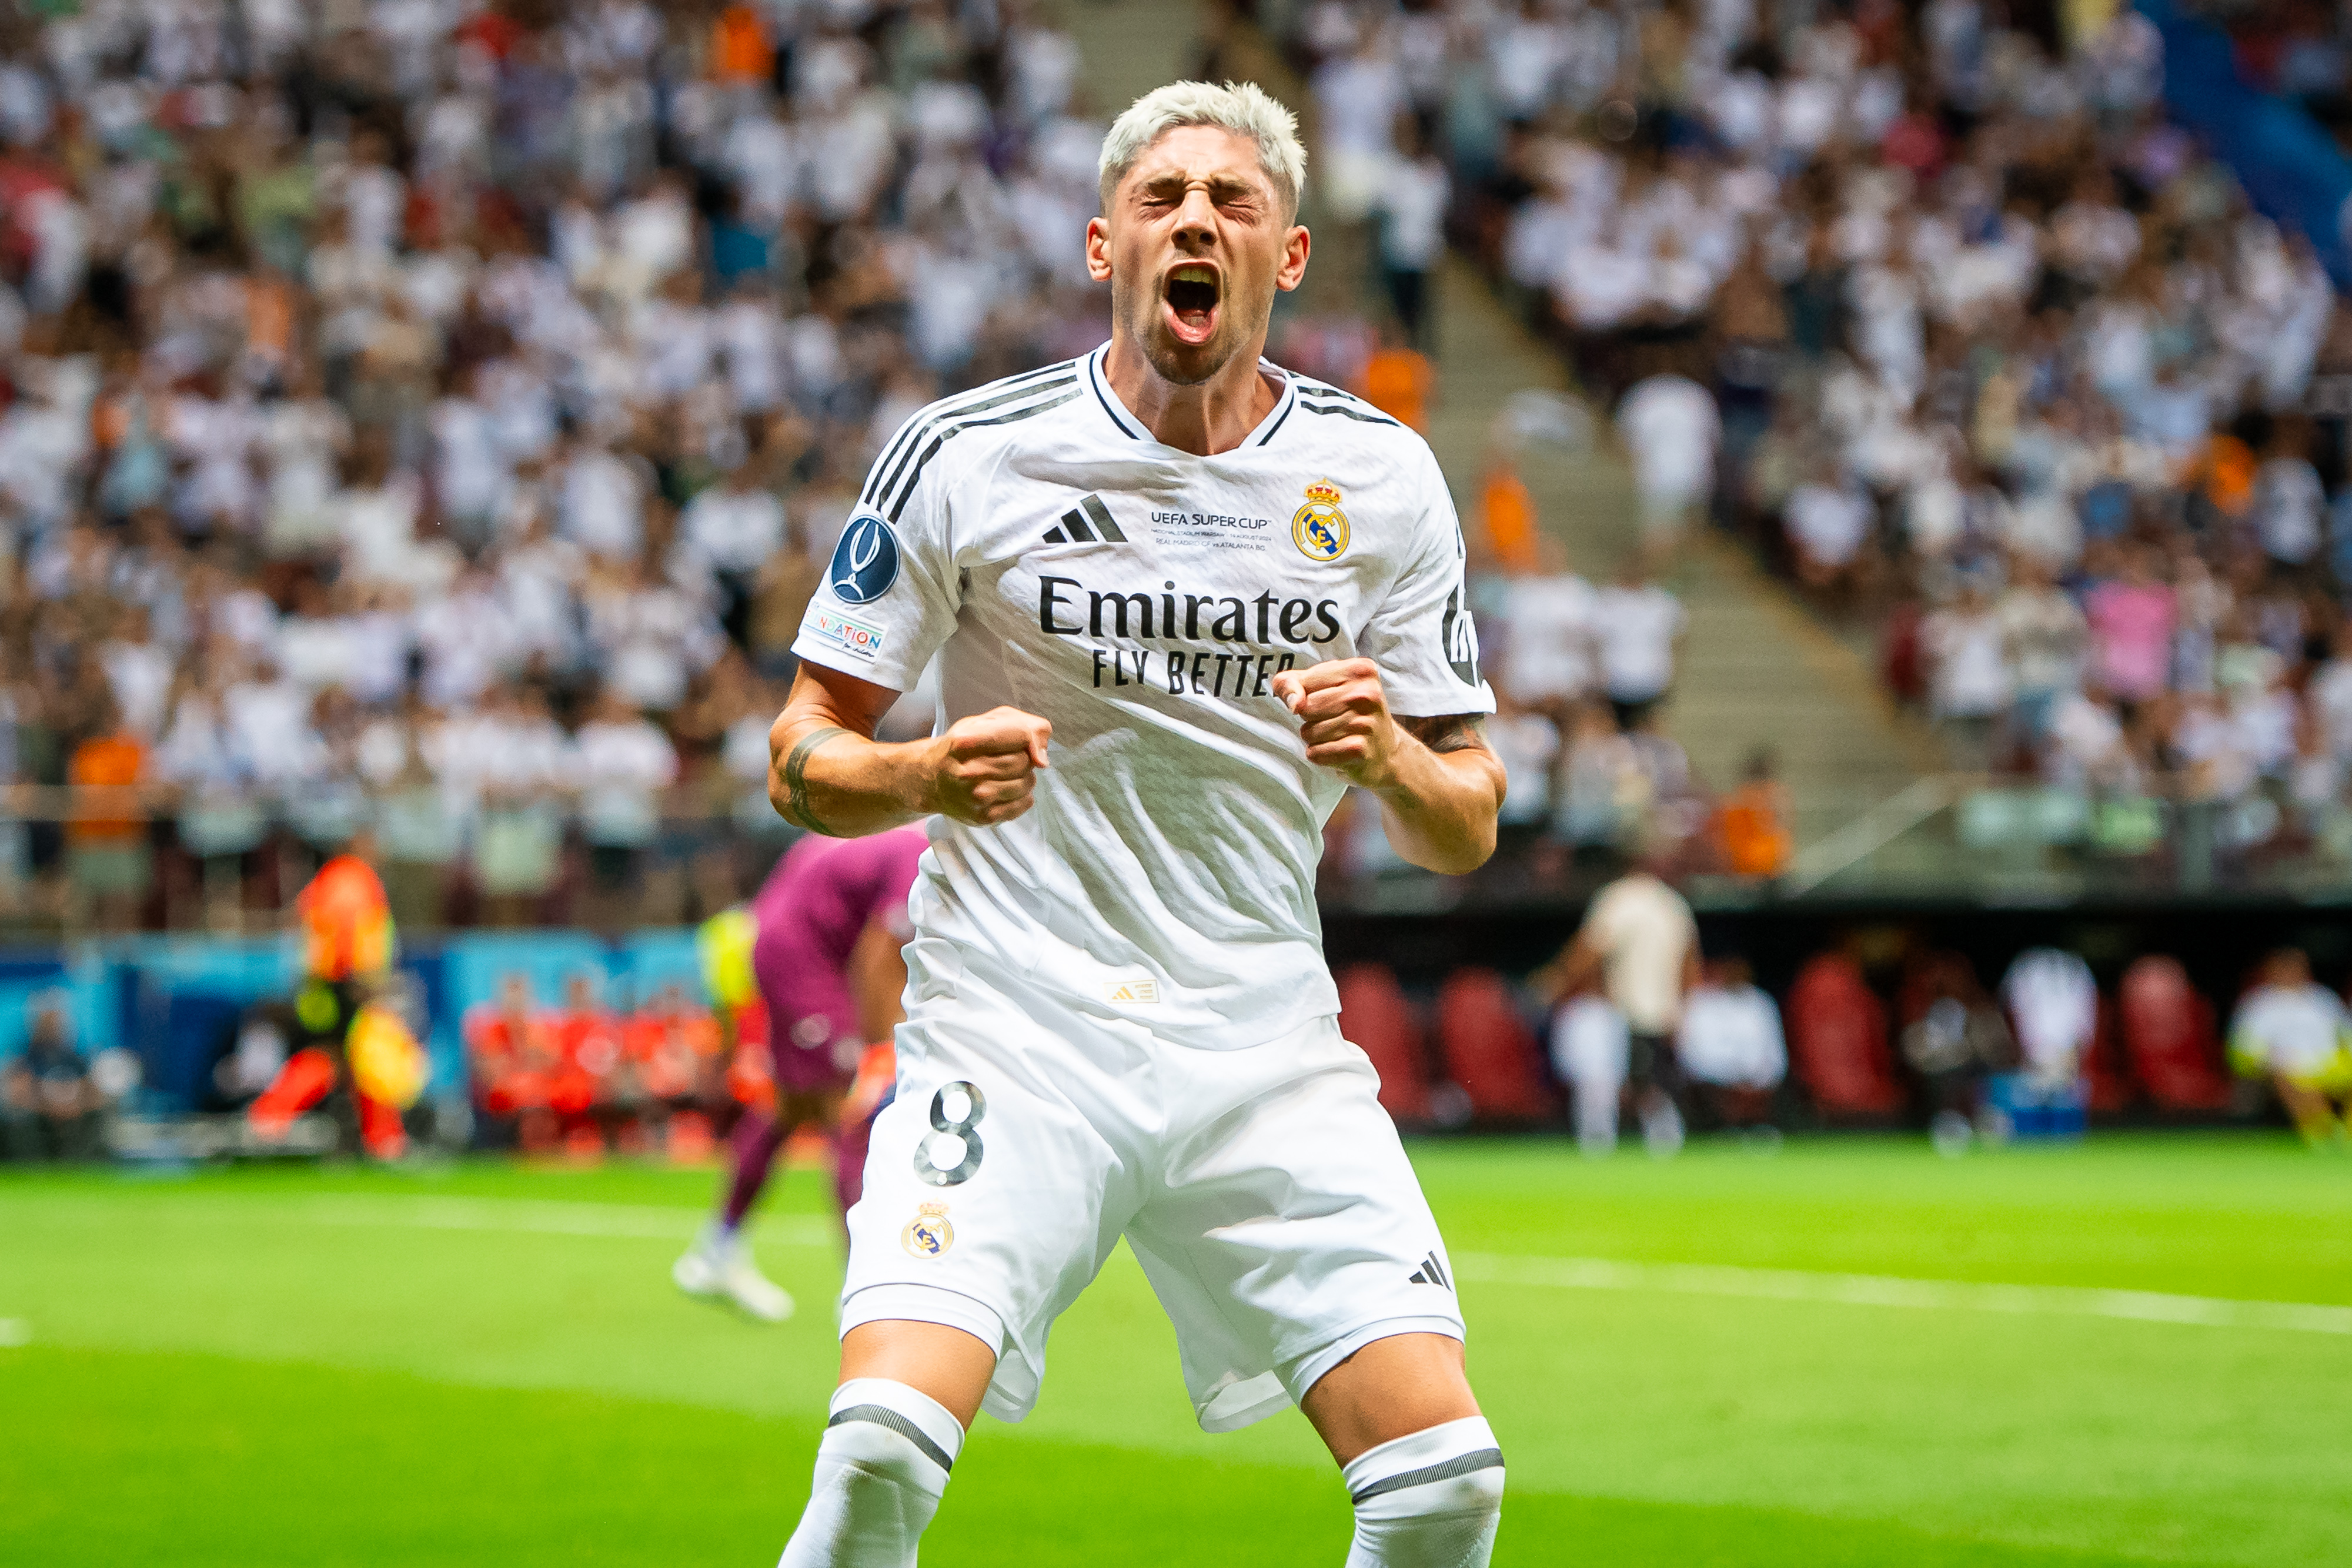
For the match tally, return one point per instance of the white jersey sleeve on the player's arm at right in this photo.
(1422, 636)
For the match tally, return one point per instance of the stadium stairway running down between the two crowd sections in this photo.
(1758, 669)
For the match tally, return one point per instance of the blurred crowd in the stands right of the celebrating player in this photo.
(1939, 309)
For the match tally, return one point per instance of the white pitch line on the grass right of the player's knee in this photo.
(1895, 1292)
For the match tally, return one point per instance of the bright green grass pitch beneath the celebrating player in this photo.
(488, 1365)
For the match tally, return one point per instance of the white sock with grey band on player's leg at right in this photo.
(1429, 1501)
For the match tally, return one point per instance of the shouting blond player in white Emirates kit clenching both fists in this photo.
(1182, 601)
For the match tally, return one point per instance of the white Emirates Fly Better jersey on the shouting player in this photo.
(1142, 601)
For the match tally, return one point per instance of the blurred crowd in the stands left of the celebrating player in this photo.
(427, 417)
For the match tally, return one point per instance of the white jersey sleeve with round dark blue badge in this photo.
(890, 591)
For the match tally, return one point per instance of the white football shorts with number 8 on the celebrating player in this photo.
(1264, 1191)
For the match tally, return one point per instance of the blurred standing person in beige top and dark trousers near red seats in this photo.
(1641, 946)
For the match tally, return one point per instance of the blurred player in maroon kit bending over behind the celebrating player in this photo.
(831, 920)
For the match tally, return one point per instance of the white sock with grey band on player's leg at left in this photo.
(881, 1475)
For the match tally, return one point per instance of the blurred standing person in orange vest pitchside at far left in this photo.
(352, 1036)
